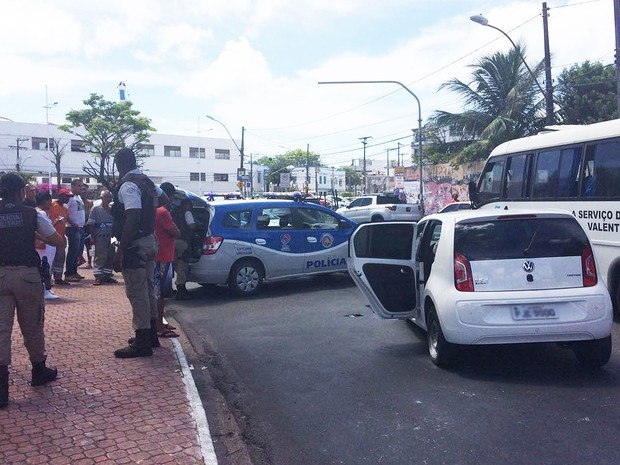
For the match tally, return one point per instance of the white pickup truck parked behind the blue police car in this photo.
(380, 207)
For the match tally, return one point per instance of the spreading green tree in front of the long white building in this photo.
(105, 127)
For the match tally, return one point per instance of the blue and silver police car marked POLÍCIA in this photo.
(250, 241)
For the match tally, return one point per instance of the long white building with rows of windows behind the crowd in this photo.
(198, 164)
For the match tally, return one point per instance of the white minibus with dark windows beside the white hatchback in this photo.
(573, 168)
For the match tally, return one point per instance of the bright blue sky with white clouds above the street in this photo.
(257, 63)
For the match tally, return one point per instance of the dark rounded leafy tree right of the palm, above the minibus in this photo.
(586, 93)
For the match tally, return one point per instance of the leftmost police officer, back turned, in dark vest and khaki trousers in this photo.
(20, 282)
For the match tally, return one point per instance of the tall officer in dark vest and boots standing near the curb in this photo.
(136, 201)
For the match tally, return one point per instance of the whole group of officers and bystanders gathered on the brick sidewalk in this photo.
(146, 234)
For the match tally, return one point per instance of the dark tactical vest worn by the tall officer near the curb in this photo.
(147, 213)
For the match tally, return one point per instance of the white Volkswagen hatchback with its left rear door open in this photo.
(487, 277)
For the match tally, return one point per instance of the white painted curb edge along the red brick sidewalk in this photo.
(198, 412)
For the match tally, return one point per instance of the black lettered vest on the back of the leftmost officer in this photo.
(18, 224)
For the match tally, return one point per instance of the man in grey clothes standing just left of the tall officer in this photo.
(99, 225)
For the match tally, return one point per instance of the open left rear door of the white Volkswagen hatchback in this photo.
(382, 265)
